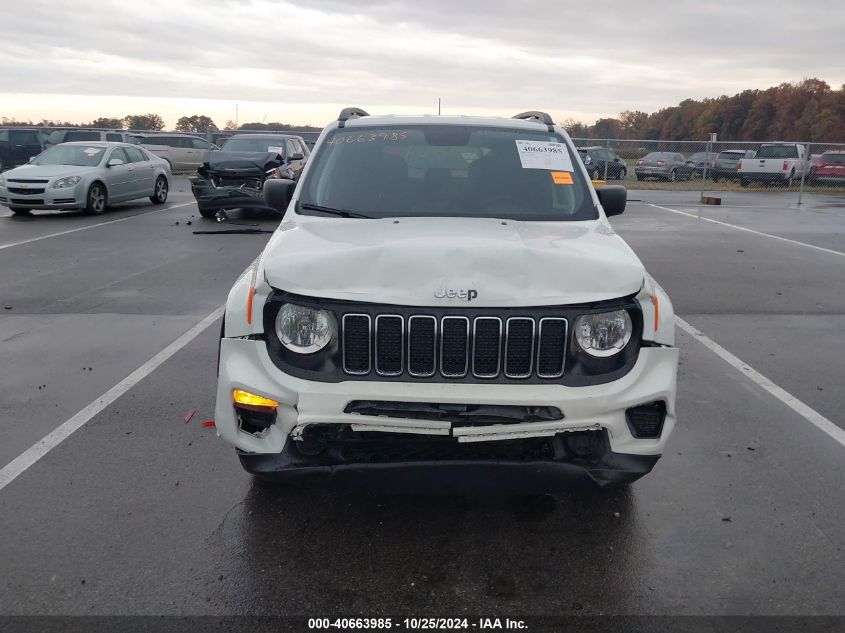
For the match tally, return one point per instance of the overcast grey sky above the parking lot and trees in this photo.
(300, 63)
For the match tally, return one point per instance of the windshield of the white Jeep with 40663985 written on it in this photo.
(440, 170)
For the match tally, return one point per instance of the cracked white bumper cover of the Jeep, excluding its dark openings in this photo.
(245, 364)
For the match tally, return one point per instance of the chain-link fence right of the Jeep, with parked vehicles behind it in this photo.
(716, 165)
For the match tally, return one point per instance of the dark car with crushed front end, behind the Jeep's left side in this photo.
(234, 177)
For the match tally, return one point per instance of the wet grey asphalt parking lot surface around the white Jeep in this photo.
(138, 512)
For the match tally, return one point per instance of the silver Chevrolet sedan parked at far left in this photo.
(83, 175)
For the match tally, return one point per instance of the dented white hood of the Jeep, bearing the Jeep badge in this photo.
(415, 261)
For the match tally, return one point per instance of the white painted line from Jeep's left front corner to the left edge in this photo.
(38, 450)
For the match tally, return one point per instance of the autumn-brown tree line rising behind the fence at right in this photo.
(806, 111)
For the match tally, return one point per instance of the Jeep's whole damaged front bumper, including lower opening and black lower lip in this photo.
(323, 429)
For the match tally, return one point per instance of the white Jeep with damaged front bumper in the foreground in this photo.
(445, 300)
